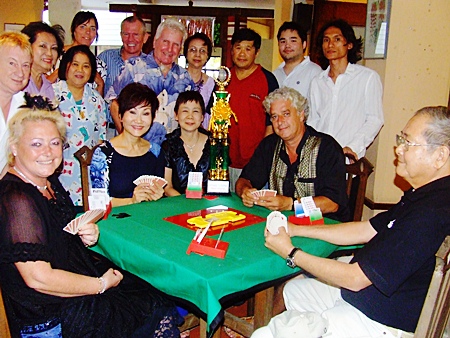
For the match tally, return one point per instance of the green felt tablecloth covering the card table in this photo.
(155, 250)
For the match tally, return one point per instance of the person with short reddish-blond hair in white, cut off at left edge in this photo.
(15, 67)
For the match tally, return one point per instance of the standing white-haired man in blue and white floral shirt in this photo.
(158, 71)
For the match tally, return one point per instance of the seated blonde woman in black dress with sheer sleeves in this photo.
(48, 278)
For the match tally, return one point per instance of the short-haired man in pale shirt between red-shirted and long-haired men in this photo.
(297, 70)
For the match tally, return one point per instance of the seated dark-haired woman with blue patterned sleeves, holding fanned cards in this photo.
(117, 163)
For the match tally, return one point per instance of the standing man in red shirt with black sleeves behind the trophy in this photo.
(250, 83)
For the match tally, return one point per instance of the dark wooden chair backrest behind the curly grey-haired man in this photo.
(357, 175)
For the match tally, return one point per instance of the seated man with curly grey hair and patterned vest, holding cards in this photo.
(296, 161)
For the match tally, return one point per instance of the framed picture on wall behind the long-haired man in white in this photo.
(377, 29)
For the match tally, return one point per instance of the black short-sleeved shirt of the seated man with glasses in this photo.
(399, 260)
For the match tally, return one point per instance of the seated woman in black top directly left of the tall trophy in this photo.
(187, 148)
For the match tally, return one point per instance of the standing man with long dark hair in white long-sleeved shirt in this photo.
(346, 98)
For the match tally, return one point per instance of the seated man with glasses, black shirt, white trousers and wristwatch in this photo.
(381, 292)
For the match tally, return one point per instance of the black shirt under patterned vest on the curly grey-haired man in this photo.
(330, 170)
